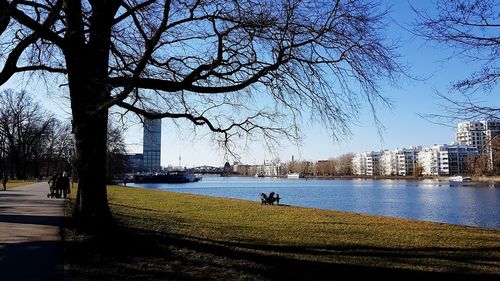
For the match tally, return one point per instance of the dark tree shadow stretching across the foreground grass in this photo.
(131, 254)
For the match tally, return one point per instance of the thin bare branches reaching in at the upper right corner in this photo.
(472, 29)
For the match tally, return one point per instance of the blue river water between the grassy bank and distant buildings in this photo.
(473, 203)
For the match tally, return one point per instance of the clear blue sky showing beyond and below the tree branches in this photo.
(403, 126)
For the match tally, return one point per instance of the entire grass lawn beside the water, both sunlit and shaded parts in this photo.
(173, 236)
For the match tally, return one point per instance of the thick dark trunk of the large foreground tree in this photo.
(87, 62)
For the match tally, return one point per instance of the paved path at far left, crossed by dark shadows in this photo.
(30, 241)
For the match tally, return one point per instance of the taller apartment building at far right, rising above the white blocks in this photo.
(479, 134)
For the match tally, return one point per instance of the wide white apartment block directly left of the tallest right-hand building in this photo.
(441, 160)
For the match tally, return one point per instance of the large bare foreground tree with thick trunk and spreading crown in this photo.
(240, 68)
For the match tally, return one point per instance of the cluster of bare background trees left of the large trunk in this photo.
(33, 142)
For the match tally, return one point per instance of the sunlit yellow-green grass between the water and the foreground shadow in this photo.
(309, 234)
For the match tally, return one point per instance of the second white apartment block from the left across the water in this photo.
(399, 162)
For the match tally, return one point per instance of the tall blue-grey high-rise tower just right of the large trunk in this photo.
(152, 145)
